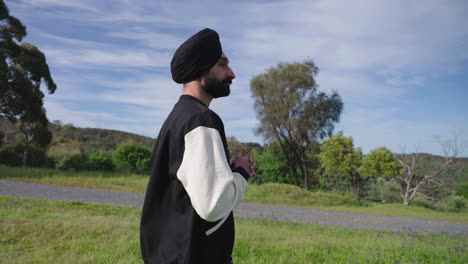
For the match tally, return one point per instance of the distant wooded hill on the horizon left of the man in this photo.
(90, 139)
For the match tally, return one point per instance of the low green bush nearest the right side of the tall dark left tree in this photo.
(68, 159)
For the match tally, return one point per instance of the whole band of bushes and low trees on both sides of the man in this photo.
(341, 167)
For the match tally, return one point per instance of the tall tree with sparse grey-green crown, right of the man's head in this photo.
(294, 113)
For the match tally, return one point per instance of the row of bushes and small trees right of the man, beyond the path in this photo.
(376, 177)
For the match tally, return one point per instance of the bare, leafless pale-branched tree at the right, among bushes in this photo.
(413, 181)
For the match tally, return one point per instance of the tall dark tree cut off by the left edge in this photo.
(23, 68)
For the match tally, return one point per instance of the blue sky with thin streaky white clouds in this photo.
(400, 67)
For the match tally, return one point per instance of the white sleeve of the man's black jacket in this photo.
(213, 188)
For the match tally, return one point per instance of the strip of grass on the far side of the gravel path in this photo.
(275, 194)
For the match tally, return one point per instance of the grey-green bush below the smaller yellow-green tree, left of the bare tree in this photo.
(385, 191)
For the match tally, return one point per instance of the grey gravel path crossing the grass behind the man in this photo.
(280, 213)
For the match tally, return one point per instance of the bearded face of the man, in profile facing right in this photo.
(217, 81)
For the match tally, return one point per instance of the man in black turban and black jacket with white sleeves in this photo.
(187, 214)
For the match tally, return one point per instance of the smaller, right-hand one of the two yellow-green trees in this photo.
(379, 163)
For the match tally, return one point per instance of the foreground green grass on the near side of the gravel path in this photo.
(39, 231)
